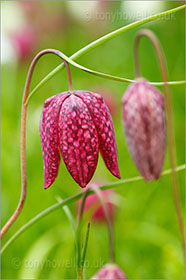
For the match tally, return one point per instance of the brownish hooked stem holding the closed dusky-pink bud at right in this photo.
(161, 58)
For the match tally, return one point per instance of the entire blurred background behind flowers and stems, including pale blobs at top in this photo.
(146, 231)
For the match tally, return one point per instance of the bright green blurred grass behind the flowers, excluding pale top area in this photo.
(146, 231)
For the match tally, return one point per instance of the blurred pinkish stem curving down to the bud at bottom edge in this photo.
(109, 222)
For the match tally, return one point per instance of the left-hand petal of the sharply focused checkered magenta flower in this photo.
(49, 137)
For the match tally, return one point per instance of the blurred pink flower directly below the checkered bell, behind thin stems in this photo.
(93, 205)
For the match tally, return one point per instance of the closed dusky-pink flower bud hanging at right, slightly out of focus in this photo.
(144, 125)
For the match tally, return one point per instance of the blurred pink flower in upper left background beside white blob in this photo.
(24, 42)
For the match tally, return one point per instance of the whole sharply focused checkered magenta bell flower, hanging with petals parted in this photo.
(78, 125)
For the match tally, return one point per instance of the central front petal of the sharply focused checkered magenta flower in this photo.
(78, 140)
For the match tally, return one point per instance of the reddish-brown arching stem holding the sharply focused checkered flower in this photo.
(23, 133)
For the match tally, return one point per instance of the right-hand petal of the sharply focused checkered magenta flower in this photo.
(105, 129)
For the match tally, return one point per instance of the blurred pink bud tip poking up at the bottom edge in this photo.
(109, 271)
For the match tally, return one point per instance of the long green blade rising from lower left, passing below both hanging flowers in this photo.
(72, 199)
